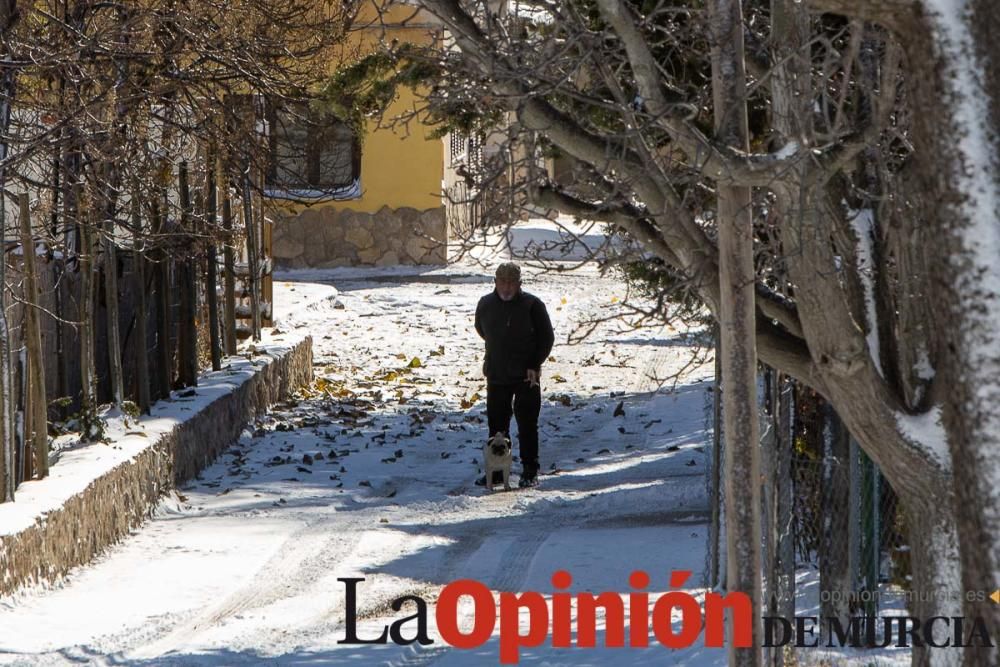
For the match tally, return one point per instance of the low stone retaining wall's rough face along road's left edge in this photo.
(121, 499)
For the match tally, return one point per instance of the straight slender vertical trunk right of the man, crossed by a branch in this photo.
(737, 326)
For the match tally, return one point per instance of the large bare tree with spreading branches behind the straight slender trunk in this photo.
(841, 151)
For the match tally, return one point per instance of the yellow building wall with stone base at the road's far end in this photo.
(400, 216)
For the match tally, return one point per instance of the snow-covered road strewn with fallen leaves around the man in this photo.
(370, 474)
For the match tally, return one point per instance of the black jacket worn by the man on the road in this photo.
(518, 335)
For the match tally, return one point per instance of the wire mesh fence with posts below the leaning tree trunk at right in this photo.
(834, 537)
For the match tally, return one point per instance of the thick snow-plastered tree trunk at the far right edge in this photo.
(963, 144)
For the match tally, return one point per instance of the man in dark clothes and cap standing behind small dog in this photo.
(518, 335)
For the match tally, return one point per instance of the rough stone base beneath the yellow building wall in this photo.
(324, 237)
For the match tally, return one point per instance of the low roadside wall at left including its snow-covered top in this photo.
(99, 493)
